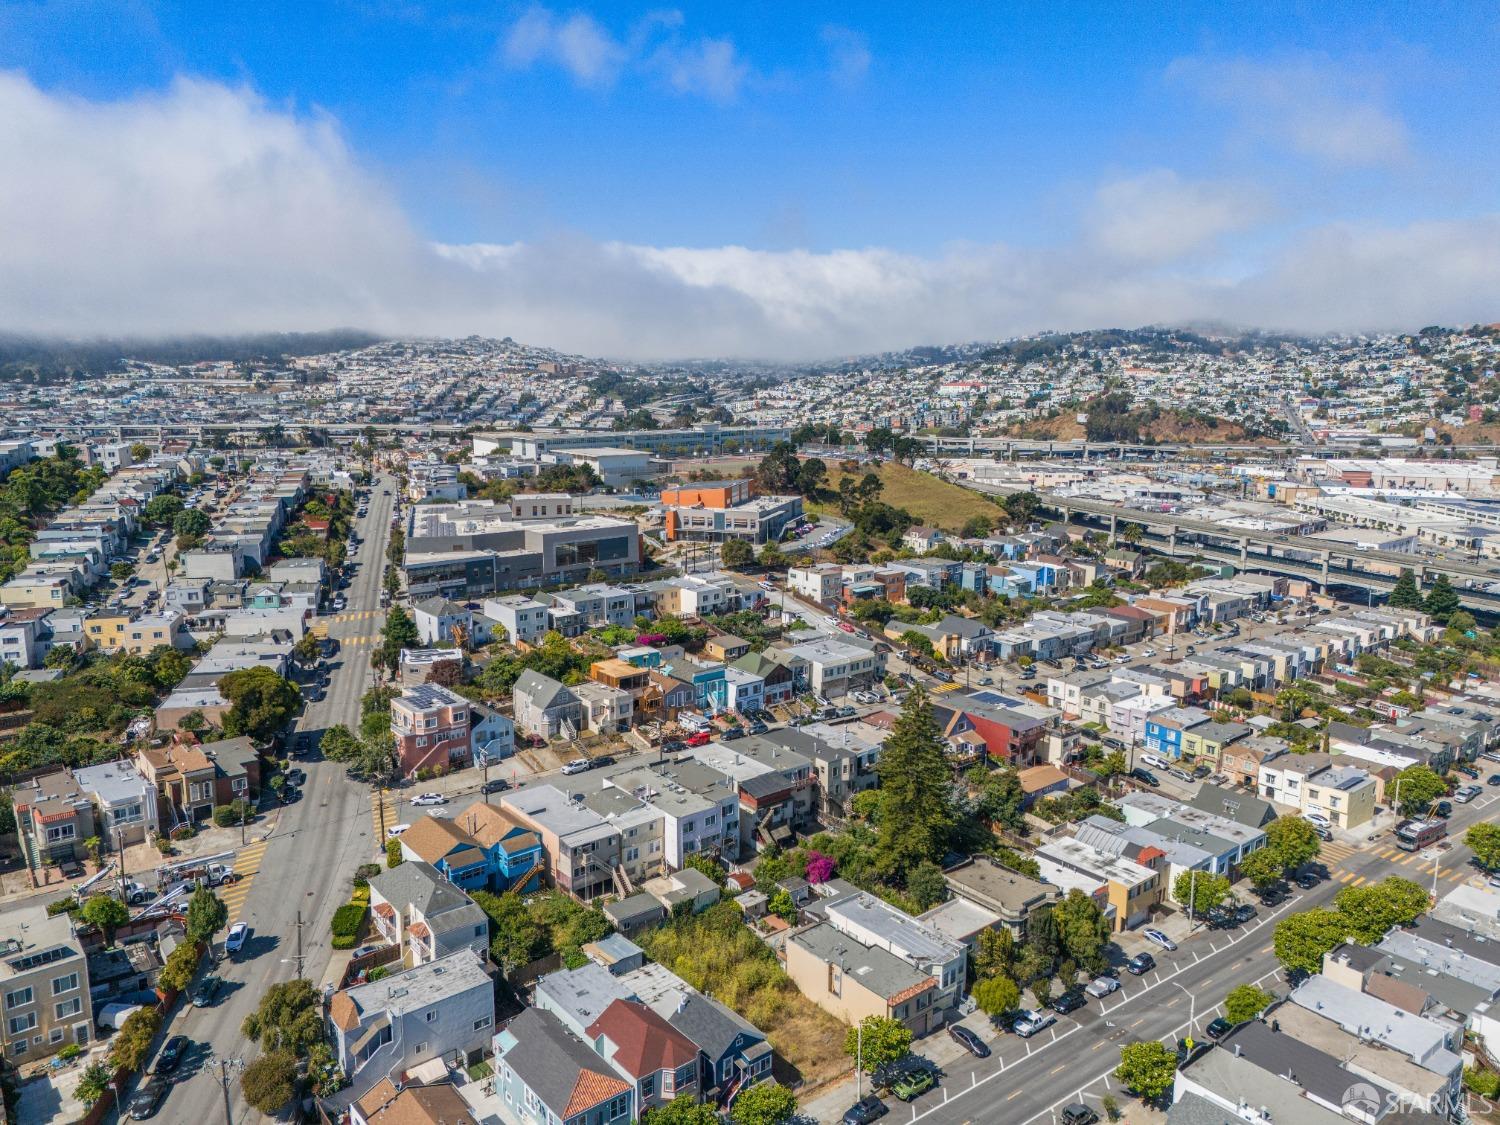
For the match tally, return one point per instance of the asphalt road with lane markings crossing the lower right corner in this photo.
(1031, 1081)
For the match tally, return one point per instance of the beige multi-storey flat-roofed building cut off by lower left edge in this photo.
(44, 980)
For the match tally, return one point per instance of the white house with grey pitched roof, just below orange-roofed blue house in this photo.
(418, 910)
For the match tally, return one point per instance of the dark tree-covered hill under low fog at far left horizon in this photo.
(34, 359)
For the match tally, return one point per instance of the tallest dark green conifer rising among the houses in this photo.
(916, 806)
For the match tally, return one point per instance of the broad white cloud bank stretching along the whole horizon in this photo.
(205, 209)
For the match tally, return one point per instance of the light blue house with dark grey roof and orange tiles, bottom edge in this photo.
(545, 1075)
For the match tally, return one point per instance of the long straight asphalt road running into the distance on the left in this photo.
(308, 862)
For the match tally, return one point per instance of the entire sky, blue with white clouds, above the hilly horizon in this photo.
(787, 181)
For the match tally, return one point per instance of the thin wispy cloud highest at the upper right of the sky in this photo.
(1309, 104)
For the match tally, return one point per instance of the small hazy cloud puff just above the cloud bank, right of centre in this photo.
(1159, 217)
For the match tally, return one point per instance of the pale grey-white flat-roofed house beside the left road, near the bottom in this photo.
(437, 1010)
